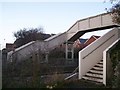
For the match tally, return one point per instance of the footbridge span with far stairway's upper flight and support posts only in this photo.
(94, 23)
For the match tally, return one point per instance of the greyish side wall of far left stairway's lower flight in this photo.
(26, 50)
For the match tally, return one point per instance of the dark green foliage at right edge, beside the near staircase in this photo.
(115, 59)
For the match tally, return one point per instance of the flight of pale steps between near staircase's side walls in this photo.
(96, 73)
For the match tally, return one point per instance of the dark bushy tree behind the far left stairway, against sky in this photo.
(24, 36)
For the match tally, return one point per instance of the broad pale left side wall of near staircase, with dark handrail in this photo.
(93, 53)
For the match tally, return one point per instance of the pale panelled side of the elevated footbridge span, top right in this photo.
(97, 21)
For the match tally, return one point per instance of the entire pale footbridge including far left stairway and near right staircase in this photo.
(91, 60)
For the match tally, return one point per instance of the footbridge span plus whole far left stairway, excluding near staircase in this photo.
(79, 28)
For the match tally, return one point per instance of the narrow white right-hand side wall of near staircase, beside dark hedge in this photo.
(105, 60)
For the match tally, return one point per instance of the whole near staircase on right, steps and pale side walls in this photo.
(90, 58)
